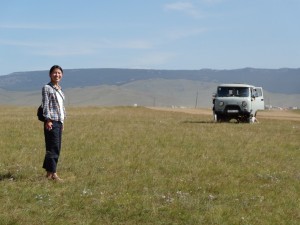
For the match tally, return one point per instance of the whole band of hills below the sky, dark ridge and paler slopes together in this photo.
(189, 88)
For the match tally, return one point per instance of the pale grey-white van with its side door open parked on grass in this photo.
(237, 101)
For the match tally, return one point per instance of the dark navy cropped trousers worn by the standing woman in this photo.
(53, 146)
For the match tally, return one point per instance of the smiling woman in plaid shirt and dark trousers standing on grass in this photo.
(54, 113)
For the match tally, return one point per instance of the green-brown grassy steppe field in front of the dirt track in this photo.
(124, 165)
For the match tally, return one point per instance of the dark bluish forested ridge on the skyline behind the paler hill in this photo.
(285, 80)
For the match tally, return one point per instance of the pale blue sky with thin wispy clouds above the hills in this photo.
(149, 34)
